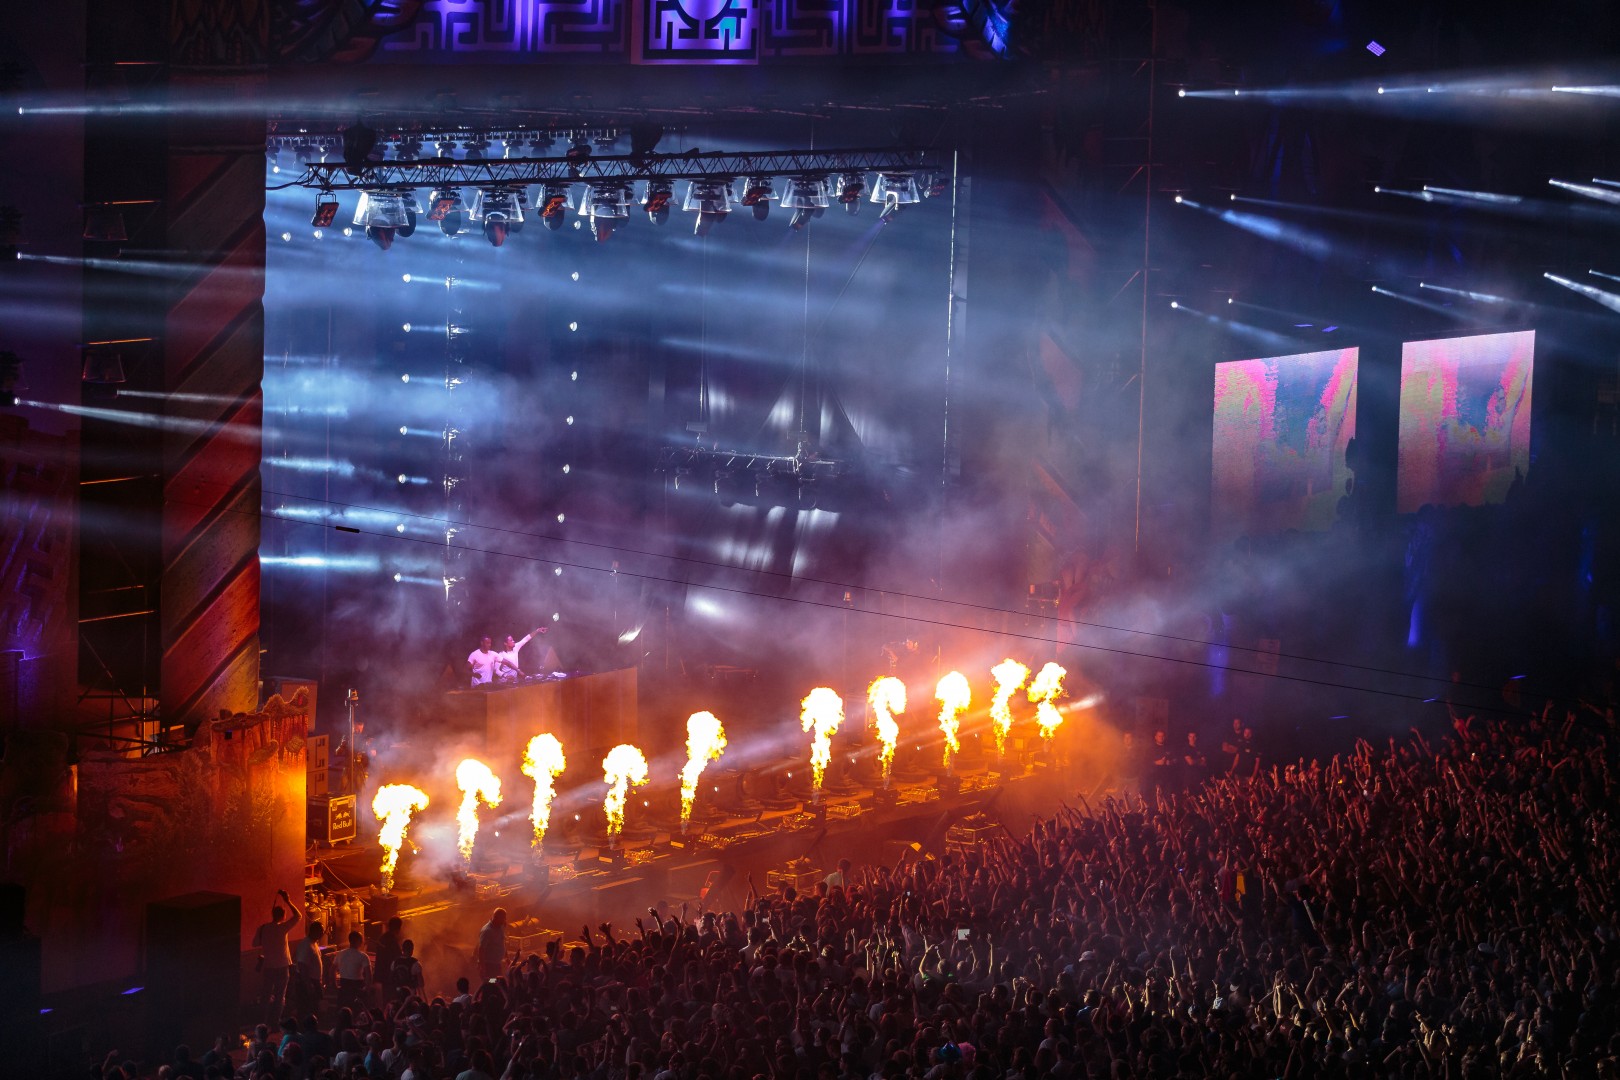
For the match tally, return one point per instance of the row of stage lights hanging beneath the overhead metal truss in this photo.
(386, 215)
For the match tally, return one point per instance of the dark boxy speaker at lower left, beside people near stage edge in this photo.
(194, 969)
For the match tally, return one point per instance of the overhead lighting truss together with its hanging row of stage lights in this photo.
(804, 182)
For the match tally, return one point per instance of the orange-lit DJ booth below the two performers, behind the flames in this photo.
(590, 715)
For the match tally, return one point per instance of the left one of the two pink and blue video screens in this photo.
(1282, 425)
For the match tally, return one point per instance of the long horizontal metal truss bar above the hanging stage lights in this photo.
(438, 172)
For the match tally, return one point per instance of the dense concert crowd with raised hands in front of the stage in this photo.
(1404, 911)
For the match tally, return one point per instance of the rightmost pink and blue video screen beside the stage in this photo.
(1465, 420)
